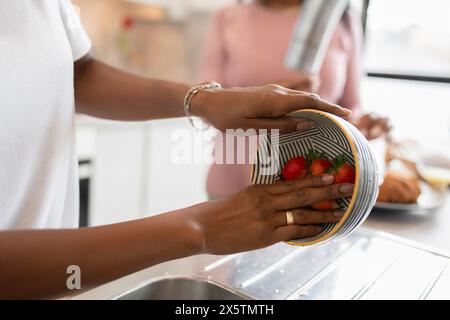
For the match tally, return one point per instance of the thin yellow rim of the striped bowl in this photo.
(351, 205)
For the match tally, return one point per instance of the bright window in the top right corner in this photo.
(409, 38)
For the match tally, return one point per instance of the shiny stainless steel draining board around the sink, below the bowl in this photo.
(367, 264)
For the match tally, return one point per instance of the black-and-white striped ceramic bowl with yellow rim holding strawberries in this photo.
(333, 136)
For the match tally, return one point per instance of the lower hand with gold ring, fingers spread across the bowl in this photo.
(256, 217)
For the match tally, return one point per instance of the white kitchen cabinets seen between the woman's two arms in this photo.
(132, 171)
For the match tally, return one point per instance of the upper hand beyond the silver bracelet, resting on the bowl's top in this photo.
(259, 108)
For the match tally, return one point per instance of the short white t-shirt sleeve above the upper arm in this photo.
(77, 36)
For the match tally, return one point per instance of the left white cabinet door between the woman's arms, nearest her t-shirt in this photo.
(115, 169)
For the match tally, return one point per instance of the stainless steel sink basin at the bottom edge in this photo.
(181, 288)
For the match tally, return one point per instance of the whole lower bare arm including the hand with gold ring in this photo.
(34, 263)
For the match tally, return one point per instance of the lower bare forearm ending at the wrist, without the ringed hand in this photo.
(34, 262)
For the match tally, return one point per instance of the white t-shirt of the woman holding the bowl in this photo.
(39, 41)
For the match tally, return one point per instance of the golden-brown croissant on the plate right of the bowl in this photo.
(399, 187)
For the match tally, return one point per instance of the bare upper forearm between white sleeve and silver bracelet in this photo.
(106, 92)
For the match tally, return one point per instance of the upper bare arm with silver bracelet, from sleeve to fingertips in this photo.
(105, 92)
